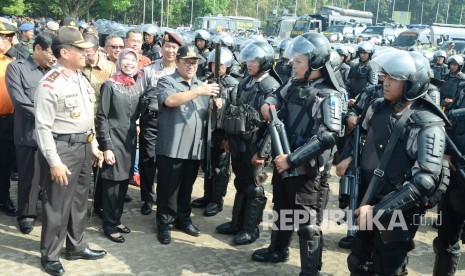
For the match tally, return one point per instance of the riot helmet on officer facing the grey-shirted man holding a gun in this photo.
(260, 51)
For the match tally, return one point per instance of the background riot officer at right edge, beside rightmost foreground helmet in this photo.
(451, 80)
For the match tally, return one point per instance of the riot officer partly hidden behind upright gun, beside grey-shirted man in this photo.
(216, 183)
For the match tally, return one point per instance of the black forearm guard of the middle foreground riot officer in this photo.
(313, 148)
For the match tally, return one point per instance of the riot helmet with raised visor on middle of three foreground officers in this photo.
(314, 45)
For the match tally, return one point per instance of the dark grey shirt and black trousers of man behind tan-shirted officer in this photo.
(22, 78)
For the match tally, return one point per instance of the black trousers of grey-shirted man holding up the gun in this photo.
(176, 178)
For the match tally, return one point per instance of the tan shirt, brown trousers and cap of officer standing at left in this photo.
(64, 107)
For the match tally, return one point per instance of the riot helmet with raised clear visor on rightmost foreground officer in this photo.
(411, 67)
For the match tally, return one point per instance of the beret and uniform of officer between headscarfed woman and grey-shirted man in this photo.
(148, 125)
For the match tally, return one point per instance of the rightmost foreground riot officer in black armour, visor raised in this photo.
(412, 174)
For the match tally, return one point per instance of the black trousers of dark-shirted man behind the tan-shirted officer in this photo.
(29, 180)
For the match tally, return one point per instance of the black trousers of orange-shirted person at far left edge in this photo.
(7, 155)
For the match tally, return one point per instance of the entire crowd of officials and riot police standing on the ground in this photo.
(144, 106)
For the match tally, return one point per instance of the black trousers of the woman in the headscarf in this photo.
(113, 194)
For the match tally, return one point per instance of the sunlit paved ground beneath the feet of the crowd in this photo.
(209, 254)
